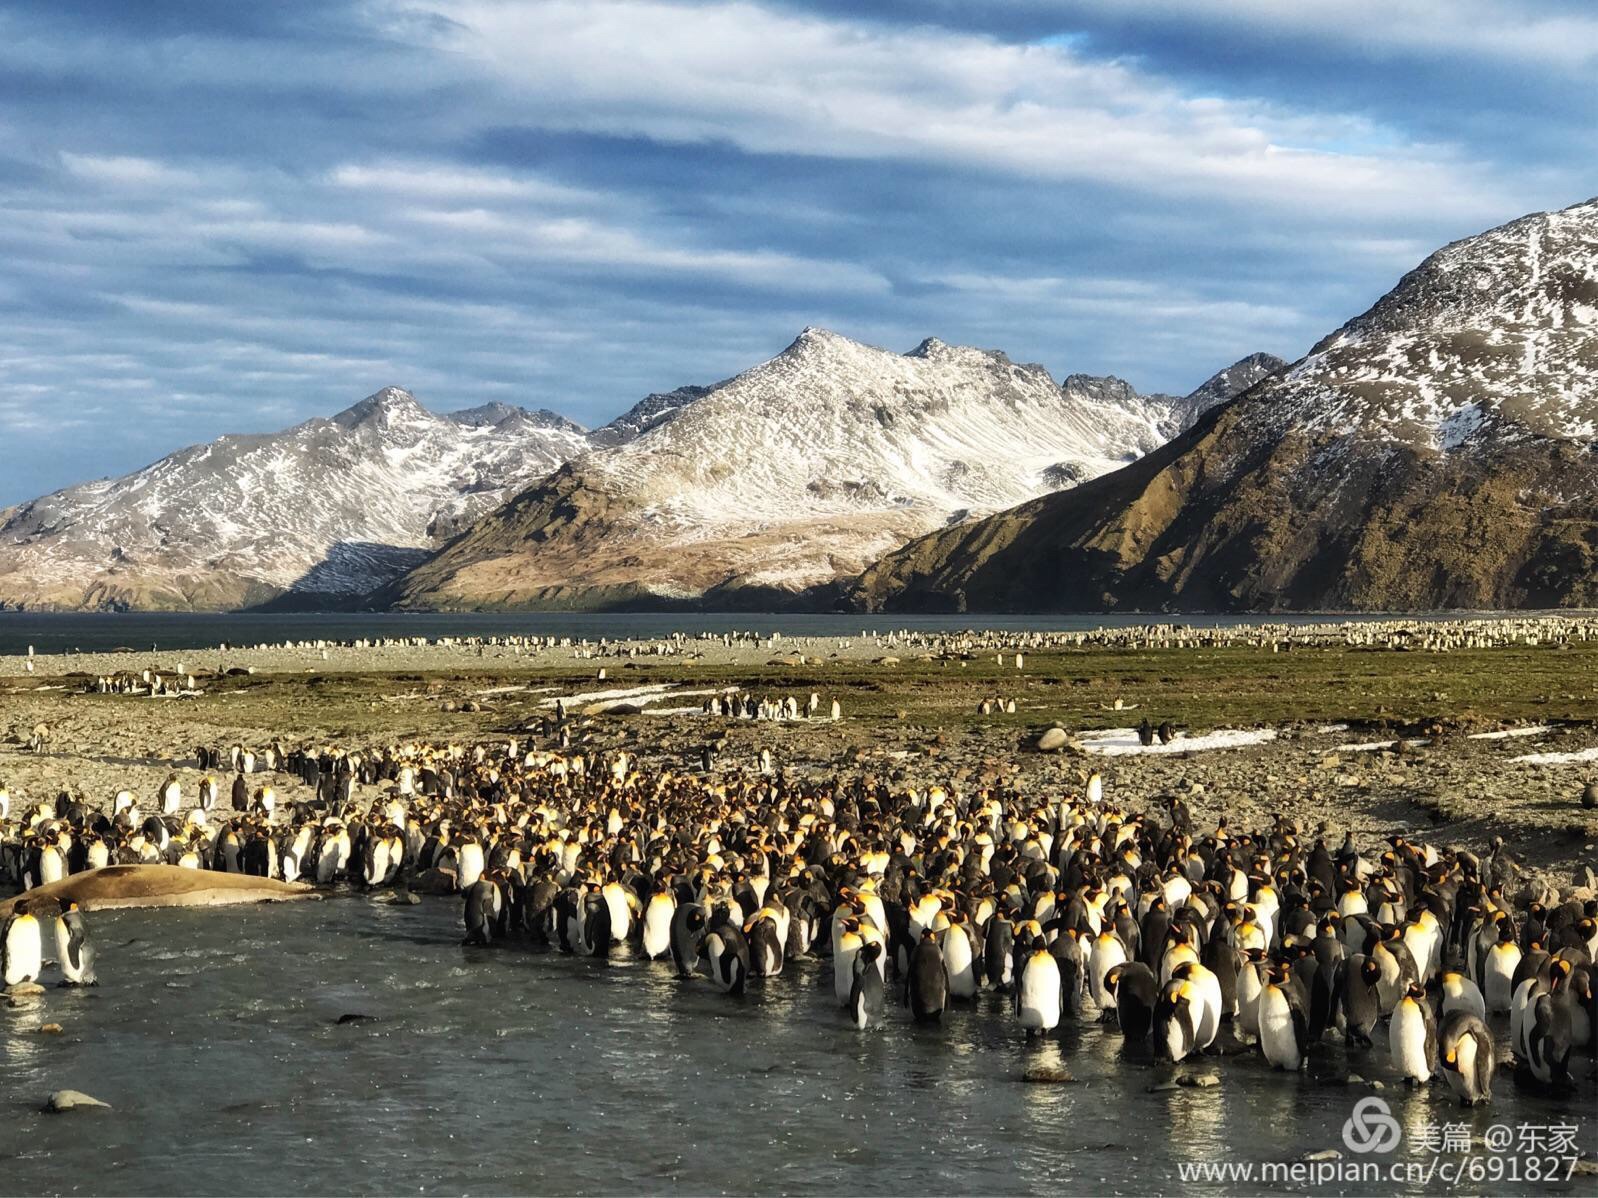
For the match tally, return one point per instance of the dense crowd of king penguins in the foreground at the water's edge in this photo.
(1188, 942)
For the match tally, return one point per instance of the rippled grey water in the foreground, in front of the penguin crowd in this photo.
(507, 1071)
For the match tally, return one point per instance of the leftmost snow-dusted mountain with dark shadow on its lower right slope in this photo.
(333, 507)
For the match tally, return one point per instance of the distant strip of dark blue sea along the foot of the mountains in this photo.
(98, 632)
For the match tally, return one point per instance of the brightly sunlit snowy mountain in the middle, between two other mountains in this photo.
(793, 475)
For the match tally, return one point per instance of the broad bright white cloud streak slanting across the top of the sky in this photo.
(776, 82)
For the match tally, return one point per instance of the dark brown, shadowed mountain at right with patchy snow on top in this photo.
(1437, 451)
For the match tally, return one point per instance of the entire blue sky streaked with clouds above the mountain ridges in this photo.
(231, 218)
